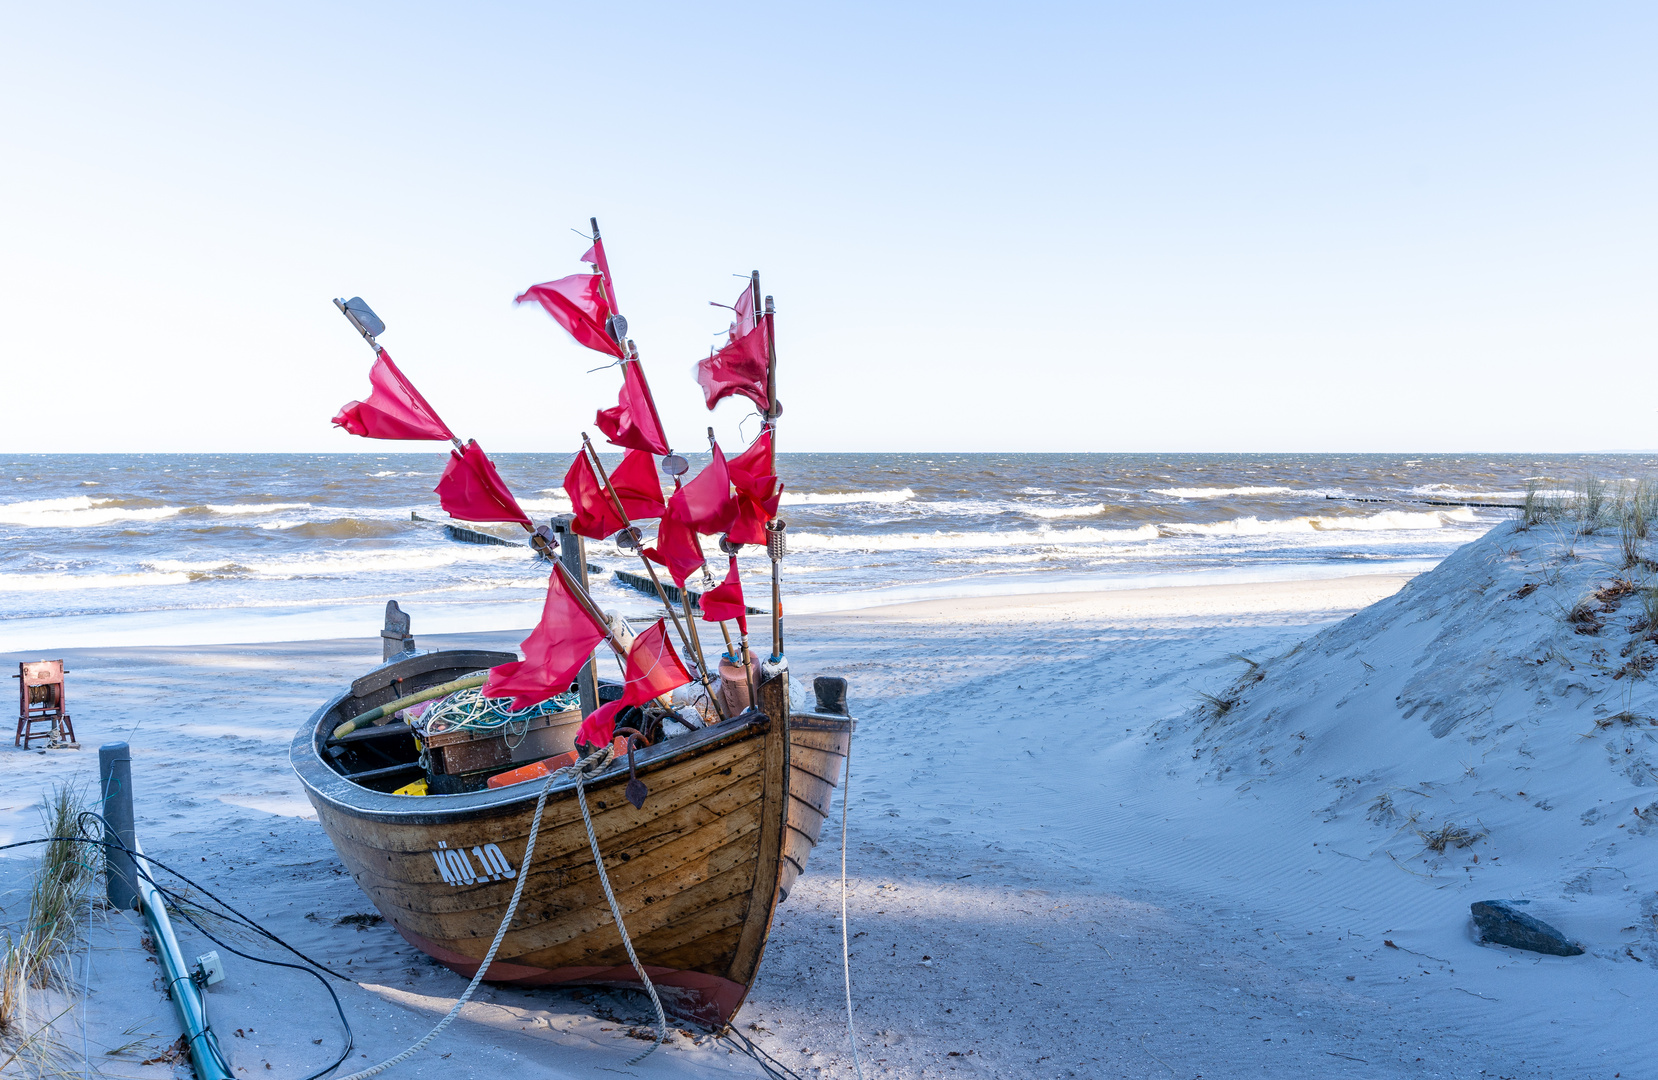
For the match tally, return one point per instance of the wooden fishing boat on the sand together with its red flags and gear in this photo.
(734, 807)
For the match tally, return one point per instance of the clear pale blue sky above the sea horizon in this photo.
(1175, 226)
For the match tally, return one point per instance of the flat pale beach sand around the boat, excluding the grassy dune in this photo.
(1042, 885)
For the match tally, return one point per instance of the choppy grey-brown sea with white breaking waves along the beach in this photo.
(124, 550)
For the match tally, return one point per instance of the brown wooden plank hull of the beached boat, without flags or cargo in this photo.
(699, 870)
